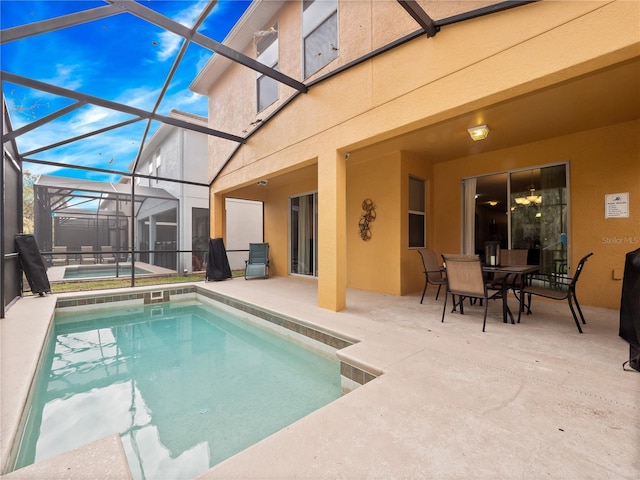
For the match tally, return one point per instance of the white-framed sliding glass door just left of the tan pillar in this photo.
(303, 228)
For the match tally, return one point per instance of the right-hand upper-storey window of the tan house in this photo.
(320, 34)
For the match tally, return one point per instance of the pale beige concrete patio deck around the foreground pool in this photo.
(530, 400)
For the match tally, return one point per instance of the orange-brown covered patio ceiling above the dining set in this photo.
(599, 99)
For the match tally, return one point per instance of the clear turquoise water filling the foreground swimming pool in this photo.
(185, 385)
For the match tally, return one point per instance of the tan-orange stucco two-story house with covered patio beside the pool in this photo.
(556, 83)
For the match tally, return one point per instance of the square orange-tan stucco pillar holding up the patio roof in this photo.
(332, 227)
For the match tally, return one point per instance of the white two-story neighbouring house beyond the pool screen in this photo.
(183, 224)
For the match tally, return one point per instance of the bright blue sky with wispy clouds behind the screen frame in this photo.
(119, 58)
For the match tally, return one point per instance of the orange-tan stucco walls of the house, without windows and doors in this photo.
(405, 112)
